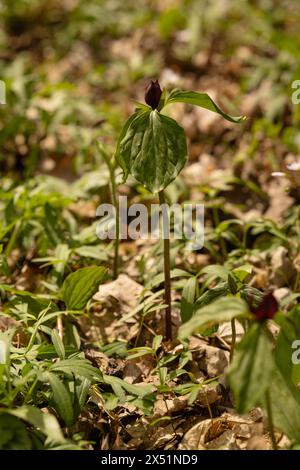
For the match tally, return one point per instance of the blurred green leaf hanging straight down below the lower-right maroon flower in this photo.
(251, 371)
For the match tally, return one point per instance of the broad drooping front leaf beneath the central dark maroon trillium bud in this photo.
(152, 148)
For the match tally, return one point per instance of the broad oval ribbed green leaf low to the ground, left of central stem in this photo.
(81, 285)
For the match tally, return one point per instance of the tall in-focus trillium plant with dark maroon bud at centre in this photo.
(152, 148)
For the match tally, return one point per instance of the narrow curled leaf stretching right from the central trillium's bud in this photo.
(200, 99)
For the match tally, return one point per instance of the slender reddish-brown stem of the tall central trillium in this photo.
(168, 315)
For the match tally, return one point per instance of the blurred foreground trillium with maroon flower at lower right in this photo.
(264, 370)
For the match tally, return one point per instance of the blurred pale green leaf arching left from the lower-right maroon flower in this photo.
(219, 311)
